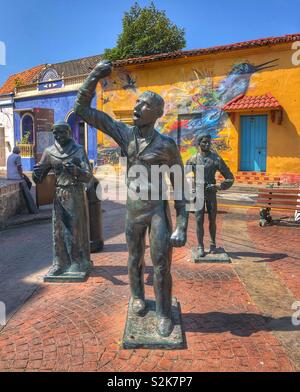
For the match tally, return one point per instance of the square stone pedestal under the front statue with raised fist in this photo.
(140, 331)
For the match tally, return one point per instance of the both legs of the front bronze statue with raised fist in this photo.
(161, 254)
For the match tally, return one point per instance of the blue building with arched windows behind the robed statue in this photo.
(48, 99)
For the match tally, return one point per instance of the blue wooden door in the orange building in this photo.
(253, 143)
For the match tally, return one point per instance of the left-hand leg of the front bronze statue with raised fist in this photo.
(135, 238)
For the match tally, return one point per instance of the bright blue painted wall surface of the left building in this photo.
(62, 104)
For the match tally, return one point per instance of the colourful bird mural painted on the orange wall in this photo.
(199, 99)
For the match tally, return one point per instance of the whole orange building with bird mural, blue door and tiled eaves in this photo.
(246, 95)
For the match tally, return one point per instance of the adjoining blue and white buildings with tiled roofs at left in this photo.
(38, 98)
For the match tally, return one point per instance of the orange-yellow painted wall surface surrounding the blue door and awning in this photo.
(185, 85)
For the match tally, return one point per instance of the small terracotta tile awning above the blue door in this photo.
(266, 101)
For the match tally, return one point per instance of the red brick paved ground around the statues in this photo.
(236, 317)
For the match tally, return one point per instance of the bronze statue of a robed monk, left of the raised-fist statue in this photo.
(71, 248)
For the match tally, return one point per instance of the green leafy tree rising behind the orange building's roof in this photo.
(146, 31)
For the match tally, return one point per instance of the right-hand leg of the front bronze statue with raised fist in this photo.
(161, 255)
